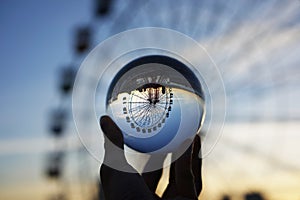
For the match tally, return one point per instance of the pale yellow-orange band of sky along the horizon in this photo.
(263, 159)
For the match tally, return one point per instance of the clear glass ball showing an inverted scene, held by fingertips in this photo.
(157, 102)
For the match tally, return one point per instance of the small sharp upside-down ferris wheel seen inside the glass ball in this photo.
(148, 107)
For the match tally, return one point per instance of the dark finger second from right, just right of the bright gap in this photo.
(183, 173)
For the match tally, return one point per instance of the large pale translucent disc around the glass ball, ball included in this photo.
(151, 82)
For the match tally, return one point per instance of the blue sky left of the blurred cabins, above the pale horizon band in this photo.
(36, 41)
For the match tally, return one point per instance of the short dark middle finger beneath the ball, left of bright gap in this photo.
(152, 178)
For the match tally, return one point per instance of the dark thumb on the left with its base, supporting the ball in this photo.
(118, 184)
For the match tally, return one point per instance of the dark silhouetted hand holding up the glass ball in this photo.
(185, 181)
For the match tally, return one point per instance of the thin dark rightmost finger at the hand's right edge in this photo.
(197, 164)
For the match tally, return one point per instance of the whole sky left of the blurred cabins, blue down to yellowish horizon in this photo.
(36, 41)
